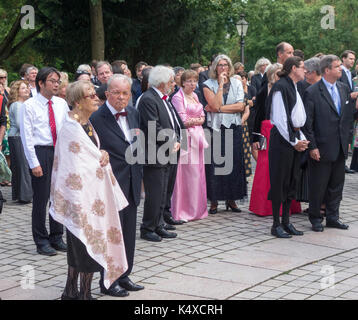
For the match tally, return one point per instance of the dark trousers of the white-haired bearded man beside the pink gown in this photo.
(155, 197)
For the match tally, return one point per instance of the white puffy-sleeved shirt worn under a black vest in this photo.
(279, 117)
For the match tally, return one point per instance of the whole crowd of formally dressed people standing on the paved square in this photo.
(179, 138)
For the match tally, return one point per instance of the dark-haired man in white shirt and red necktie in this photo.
(41, 120)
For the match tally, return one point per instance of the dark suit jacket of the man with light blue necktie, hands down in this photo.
(325, 128)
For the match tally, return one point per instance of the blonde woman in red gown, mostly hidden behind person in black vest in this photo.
(261, 184)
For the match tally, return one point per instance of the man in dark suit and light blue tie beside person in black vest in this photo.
(329, 121)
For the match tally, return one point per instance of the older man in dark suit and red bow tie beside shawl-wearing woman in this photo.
(115, 123)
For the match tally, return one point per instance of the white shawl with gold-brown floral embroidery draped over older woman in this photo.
(86, 198)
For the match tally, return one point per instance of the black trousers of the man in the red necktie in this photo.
(41, 194)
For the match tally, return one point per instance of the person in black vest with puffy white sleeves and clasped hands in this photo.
(287, 114)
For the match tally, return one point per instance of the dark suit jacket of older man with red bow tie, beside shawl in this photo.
(112, 140)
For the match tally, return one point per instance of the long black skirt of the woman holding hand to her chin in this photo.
(232, 185)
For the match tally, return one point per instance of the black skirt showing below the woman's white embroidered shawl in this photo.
(78, 257)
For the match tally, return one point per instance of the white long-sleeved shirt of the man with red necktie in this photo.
(35, 125)
